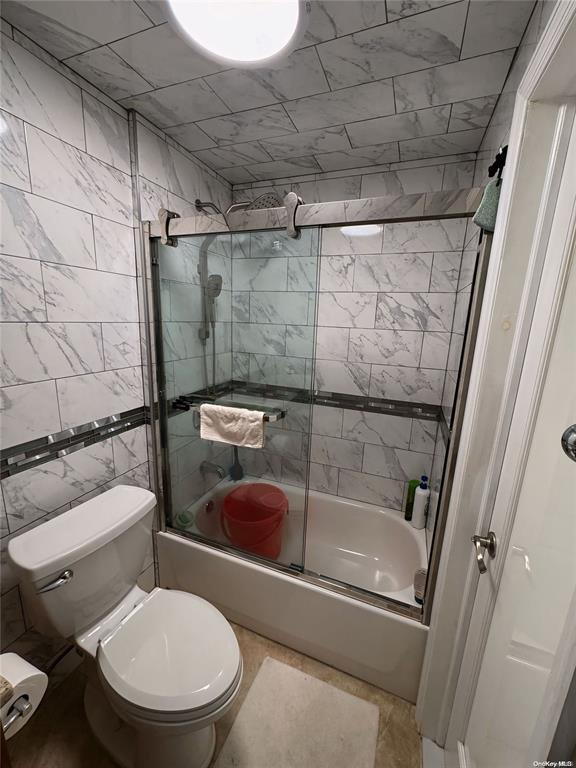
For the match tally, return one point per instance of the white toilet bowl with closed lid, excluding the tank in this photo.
(169, 670)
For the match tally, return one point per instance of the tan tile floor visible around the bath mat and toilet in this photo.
(59, 736)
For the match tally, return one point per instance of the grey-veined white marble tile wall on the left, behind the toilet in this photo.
(70, 317)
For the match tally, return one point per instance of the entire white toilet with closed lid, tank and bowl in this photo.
(163, 666)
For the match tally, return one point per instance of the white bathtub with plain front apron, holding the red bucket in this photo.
(347, 541)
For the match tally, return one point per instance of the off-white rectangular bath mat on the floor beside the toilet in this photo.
(292, 720)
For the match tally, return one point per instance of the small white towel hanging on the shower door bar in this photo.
(237, 426)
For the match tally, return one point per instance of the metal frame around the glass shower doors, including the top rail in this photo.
(406, 208)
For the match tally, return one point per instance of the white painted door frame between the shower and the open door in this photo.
(527, 207)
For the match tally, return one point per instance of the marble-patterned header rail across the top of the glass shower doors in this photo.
(458, 203)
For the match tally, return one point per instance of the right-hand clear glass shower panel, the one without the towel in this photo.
(391, 325)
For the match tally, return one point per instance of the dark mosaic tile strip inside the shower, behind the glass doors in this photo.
(291, 394)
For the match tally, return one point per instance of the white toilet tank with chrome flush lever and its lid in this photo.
(104, 543)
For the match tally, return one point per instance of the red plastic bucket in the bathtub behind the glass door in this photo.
(253, 518)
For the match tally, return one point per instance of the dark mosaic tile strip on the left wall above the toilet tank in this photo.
(19, 458)
